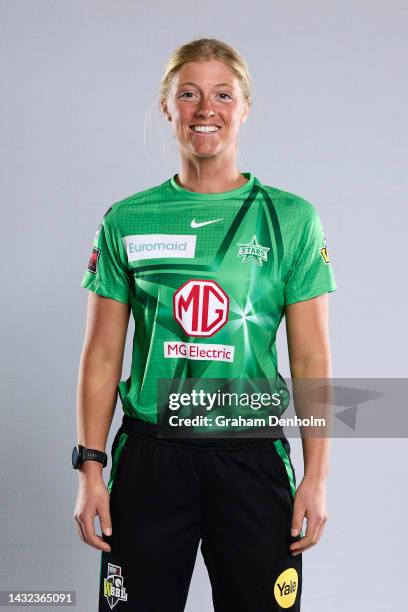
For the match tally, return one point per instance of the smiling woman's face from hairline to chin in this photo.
(206, 93)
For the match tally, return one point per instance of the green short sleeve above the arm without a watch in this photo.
(311, 274)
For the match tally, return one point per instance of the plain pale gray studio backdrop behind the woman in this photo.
(80, 130)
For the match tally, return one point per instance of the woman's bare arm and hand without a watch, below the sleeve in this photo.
(310, 357)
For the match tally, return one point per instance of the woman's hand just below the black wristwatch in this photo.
(93, 500)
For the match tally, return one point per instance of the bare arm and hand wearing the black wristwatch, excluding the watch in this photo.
(99, 373)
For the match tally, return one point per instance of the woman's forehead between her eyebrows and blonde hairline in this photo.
(206, 72)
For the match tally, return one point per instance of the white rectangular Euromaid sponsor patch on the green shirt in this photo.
(152, 246)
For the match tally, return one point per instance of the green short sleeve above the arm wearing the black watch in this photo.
(107, 271)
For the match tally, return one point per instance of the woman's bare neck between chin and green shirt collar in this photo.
(209, 175)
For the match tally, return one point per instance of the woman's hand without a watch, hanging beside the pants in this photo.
(309, 503)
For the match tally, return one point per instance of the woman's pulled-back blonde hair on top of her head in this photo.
(207, 49)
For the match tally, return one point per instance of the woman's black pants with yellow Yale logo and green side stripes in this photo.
(235, 495)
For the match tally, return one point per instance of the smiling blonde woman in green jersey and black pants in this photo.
(209, 262)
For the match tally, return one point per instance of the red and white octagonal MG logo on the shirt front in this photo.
(200, 307)
